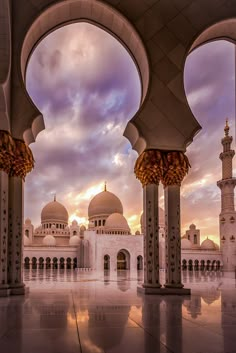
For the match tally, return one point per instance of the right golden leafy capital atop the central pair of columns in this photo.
(176, 166)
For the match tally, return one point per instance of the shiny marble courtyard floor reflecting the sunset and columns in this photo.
(83, 311)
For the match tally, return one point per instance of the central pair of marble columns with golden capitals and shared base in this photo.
(151, 168)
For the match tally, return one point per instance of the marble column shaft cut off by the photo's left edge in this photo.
(4, 288)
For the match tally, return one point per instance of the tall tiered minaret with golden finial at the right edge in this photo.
(227, 217)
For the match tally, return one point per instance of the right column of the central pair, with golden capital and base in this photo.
(176, 167)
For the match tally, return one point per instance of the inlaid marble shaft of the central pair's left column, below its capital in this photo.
(151, 236)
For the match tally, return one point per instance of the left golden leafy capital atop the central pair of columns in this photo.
(149, 167)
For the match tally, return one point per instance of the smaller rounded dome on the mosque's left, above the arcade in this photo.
(54, 212)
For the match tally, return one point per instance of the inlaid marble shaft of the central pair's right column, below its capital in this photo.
(173, 237)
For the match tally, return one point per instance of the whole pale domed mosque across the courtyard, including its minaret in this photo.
(107, 243)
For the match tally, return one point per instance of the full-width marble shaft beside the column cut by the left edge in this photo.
(15, 236)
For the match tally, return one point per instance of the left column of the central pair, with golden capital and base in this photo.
(148, 170)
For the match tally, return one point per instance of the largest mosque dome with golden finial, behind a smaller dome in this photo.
(105, 203)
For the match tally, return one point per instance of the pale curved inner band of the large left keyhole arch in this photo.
(97, 13)
